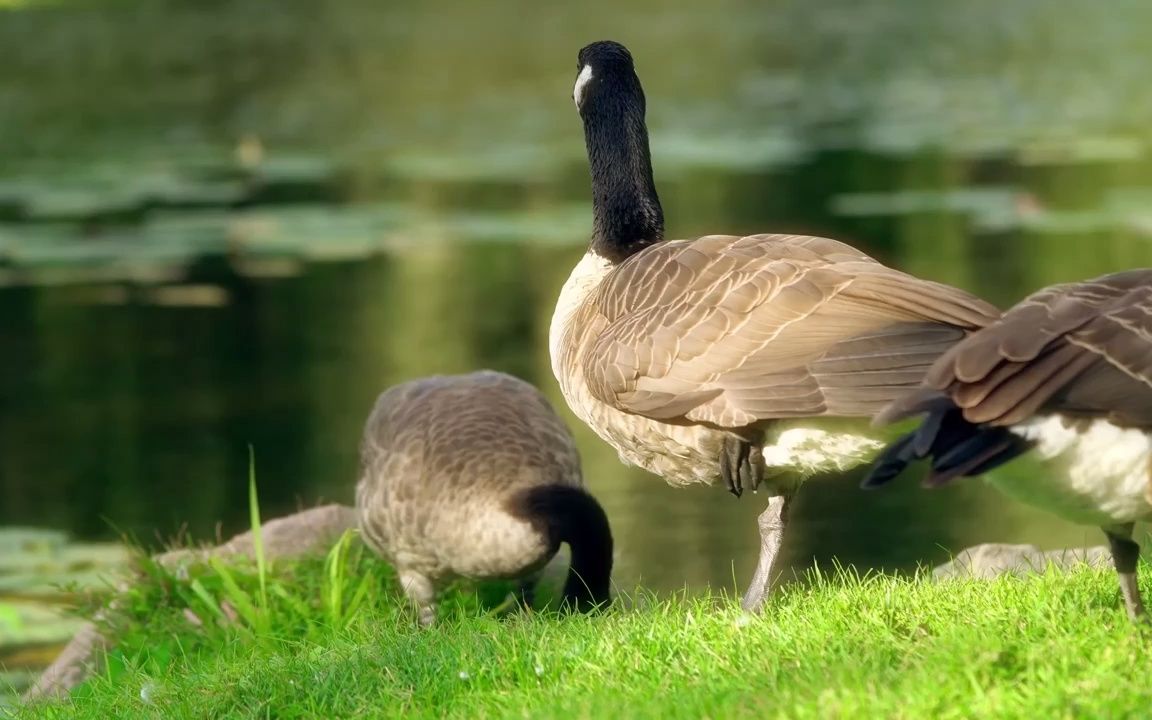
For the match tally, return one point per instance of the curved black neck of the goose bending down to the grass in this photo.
(572, 516)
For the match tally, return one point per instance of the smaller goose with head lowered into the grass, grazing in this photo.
(475, 476)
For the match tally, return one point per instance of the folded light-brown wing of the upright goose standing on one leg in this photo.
(731, 331)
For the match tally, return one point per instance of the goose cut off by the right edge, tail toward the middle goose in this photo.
(1067, 375)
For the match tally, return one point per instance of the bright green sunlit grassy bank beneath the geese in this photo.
(330, 639)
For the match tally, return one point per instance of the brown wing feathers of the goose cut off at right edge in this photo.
(1082, 348)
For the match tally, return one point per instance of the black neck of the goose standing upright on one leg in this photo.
(626, 209)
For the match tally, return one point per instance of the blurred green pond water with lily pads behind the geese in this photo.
(232, 223)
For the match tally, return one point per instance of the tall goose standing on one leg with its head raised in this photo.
(727, 359)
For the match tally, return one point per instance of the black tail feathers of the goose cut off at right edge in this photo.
(953, 446)
